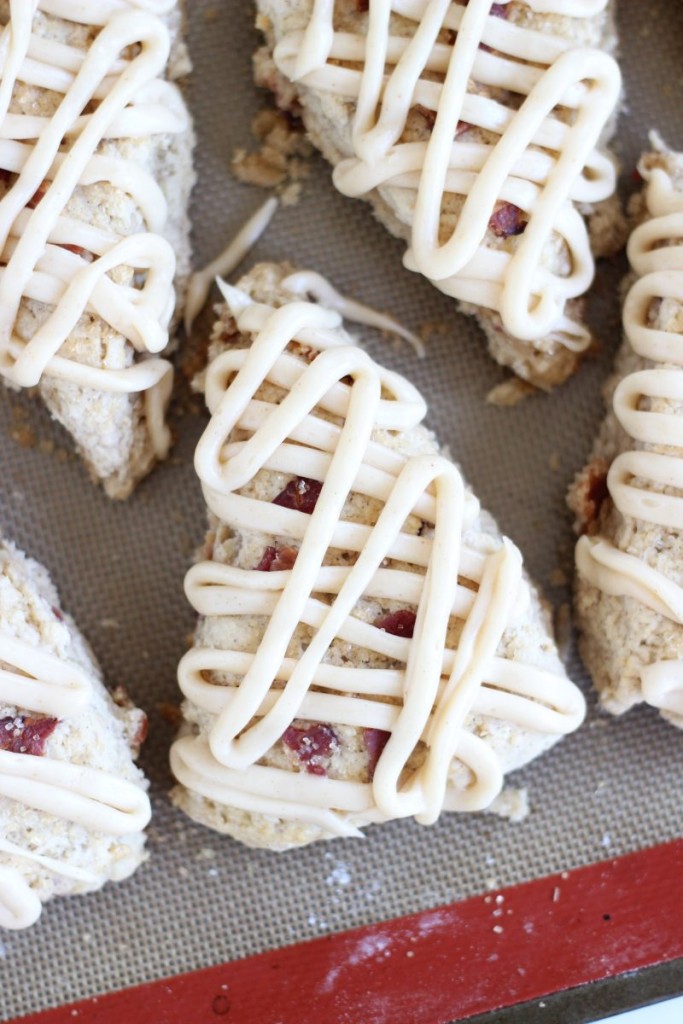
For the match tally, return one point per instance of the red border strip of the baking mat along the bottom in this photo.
(491, 952)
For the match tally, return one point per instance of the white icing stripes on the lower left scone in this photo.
(40, 682)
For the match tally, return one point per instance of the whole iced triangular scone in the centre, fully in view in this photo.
(368, 646)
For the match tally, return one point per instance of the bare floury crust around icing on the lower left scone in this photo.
(106, 736)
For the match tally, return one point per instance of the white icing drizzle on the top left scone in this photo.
(125, 98)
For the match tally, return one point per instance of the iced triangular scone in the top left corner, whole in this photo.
(96, 174)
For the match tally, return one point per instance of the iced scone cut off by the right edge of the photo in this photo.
(628, 501)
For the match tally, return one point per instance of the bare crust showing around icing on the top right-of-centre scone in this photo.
(329, 122)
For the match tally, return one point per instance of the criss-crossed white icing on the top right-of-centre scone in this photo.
(543, 162)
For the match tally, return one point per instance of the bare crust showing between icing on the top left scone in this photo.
(110, 430)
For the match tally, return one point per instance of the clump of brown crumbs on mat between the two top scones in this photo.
(280, 162)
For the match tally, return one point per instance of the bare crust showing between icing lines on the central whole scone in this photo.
(529, 641)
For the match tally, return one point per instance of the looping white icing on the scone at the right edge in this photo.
(637, 478)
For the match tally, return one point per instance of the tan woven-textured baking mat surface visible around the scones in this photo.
(615, 787)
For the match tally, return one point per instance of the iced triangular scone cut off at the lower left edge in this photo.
(73, 805)
